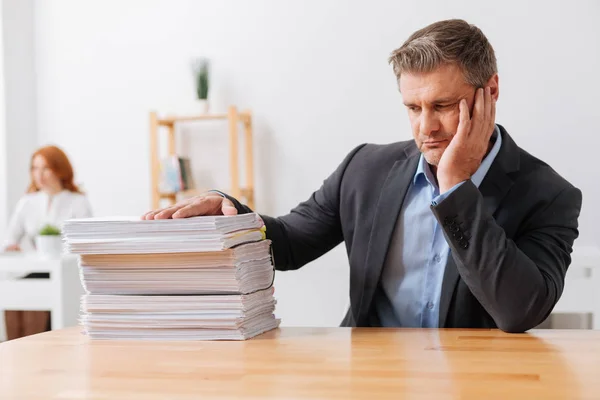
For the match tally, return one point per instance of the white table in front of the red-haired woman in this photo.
(60, 294)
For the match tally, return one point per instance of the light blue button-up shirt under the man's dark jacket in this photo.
(411, 280)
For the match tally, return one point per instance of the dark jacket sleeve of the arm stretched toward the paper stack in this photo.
(312, 228)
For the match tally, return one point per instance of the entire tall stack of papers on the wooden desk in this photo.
(202, 278)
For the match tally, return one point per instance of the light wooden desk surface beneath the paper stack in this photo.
(302, 363)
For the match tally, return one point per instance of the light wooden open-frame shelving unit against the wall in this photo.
(234, 118)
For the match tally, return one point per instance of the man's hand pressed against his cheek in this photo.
(468, 147)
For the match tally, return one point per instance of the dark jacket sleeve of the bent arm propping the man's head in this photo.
(519, 281)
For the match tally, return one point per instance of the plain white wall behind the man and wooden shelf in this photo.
(315, 75)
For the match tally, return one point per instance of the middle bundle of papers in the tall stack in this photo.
(243, 269)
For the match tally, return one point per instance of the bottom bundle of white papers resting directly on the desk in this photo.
(230, 317)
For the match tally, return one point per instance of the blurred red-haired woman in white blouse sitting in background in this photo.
(52, 198)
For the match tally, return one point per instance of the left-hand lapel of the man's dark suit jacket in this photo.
(384, 221)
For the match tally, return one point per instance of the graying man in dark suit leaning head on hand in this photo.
(458, 228)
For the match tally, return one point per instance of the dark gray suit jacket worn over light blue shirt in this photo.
(510, 240)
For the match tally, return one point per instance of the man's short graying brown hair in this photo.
(447, 42)
